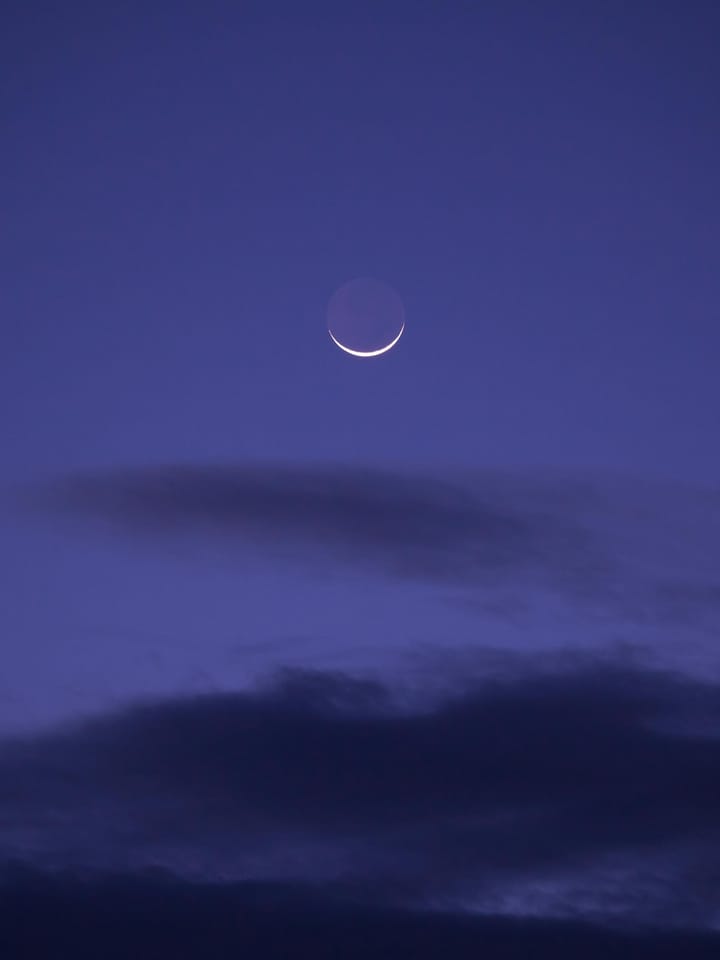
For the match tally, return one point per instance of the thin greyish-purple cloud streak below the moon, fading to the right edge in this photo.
(632, 552)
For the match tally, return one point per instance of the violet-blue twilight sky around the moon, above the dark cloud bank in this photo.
(202, 489)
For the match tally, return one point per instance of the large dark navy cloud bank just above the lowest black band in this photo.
(592, 792)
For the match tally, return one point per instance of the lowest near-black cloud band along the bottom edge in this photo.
(146, 915)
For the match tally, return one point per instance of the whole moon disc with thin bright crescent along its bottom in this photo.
(366, 318)
